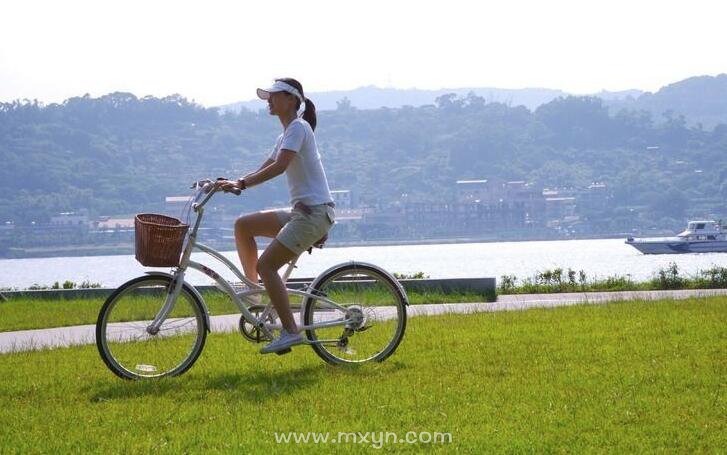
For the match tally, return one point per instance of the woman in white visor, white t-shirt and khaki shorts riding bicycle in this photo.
(296, 230)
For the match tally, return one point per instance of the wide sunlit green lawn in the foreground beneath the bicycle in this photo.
(622, 378)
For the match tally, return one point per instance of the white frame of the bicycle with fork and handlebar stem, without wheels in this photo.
(237, 297)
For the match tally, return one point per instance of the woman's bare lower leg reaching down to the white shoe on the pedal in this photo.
(274, 257)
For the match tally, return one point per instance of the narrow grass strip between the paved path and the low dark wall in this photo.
(32, 313)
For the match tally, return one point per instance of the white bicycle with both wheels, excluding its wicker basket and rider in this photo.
(156, 325)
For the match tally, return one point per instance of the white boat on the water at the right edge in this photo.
(699, 237)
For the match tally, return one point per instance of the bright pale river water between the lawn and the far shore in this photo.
(598, 258)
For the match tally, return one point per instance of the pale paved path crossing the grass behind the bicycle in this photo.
(26, 340)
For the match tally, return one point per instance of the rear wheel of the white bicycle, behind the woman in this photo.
(374, 315)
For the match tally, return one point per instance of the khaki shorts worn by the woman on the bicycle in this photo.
(301, 230)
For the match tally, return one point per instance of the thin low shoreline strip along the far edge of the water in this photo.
(128, 249)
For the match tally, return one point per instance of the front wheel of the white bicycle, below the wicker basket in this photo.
(124, 339)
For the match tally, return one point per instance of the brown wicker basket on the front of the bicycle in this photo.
(159, 239)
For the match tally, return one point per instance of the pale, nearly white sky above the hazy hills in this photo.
(218, 52)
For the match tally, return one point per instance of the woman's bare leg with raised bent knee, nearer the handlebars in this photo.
(266, 224)
